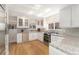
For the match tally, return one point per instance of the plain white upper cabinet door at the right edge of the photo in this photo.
(75, 16)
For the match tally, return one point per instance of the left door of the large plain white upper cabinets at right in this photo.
(65, 17)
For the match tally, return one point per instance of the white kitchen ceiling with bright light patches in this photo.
(40, 10)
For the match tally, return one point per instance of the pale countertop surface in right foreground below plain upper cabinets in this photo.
(69, 44)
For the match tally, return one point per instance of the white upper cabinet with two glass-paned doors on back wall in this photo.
(22, 22)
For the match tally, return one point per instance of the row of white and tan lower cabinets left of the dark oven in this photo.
(29, 36)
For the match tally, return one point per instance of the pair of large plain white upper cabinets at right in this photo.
(69, 16)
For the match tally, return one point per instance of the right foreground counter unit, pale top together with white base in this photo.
(69, 44)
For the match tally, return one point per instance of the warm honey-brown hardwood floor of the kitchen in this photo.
(29, 48)
